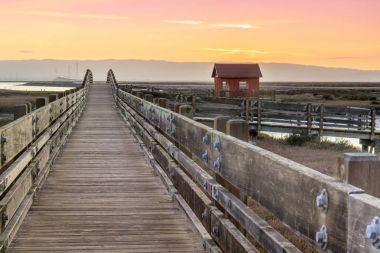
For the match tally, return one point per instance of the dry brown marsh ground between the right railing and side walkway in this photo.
(322, 160)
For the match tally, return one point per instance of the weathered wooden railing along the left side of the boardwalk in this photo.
(28, 148)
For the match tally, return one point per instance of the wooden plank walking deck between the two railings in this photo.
(102, 196)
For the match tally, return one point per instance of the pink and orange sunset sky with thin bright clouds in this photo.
(337, 33)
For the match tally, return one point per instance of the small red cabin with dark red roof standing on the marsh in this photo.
(237, 80)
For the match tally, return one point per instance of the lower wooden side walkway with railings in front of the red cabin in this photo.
(273, 116)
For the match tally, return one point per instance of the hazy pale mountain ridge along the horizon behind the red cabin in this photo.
(139, 70)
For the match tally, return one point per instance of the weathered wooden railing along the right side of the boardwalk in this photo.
(319, 207)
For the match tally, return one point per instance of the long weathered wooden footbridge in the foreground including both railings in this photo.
(102, 170)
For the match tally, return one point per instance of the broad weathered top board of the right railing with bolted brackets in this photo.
(288, 189)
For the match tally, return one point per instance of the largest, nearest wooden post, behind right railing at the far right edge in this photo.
(363, 170)
